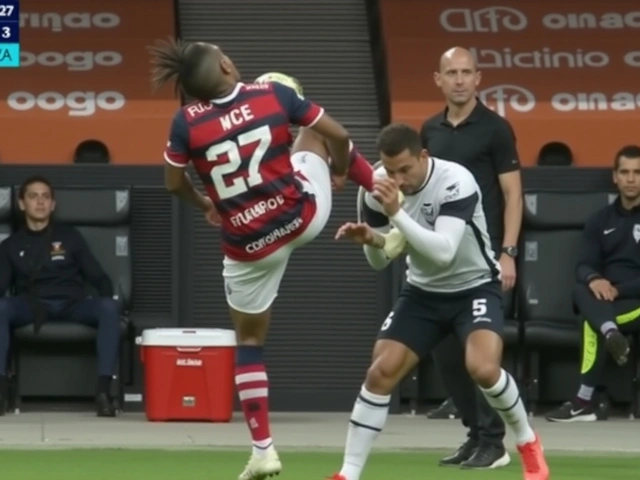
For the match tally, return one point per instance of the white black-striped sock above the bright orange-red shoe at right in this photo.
(504, 397)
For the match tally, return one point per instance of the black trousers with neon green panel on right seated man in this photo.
(593, 314)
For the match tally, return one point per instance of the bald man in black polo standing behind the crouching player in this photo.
(471, 134)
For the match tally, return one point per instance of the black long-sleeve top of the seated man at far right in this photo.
(611, 249)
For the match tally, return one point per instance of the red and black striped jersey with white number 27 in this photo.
(239, 145)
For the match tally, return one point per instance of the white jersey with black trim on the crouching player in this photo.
(448, 246)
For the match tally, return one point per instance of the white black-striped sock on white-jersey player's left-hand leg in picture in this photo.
(367, 420)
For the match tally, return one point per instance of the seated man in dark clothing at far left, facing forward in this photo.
(47, 264)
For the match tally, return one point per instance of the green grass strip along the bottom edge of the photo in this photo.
(226, 465)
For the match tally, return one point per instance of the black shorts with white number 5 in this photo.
(420, 320)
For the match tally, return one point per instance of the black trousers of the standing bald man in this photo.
(483, 423)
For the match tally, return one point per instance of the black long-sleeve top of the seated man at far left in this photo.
(53, 263)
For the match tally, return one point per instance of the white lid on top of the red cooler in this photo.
(187, 337)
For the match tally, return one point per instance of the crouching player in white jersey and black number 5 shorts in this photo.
(452, 285)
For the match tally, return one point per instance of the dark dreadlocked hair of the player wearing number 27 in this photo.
(187, 64)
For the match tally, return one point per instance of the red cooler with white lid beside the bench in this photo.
(188, 373)
